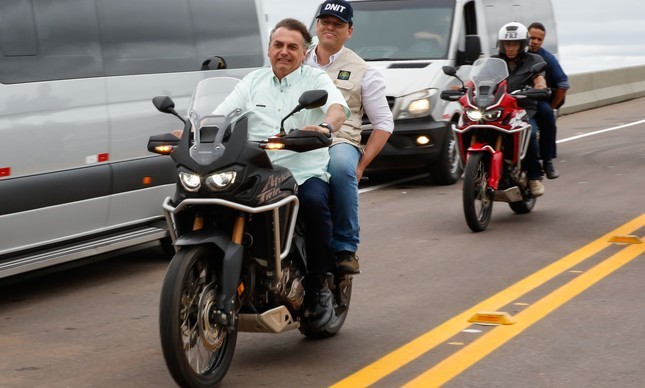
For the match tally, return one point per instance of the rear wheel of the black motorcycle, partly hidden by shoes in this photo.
(342, 291)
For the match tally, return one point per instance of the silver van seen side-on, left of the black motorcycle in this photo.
(76, 82)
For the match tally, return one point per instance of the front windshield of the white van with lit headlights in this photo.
(401, 30)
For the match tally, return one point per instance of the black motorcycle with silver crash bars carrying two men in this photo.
(240, 261)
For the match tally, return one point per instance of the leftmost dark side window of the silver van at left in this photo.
(62, 38)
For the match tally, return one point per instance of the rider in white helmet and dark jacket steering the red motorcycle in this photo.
(512, 45)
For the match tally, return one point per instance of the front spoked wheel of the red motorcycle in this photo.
(478, 202)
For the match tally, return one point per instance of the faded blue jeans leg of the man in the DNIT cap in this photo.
(343, 160)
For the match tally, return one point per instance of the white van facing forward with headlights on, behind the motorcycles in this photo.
(410, 41)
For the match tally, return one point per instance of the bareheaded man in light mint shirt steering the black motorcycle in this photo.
(275, 92)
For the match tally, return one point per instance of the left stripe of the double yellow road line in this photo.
(424, 343)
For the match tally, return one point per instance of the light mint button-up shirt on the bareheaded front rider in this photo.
(273, 99)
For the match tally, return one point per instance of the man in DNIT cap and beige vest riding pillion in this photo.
(364, 88)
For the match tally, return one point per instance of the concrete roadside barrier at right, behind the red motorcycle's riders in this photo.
(594, 89)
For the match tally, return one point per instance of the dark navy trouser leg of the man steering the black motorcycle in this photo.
(314, 213)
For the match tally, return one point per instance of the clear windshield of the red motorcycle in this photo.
(486, 74)
